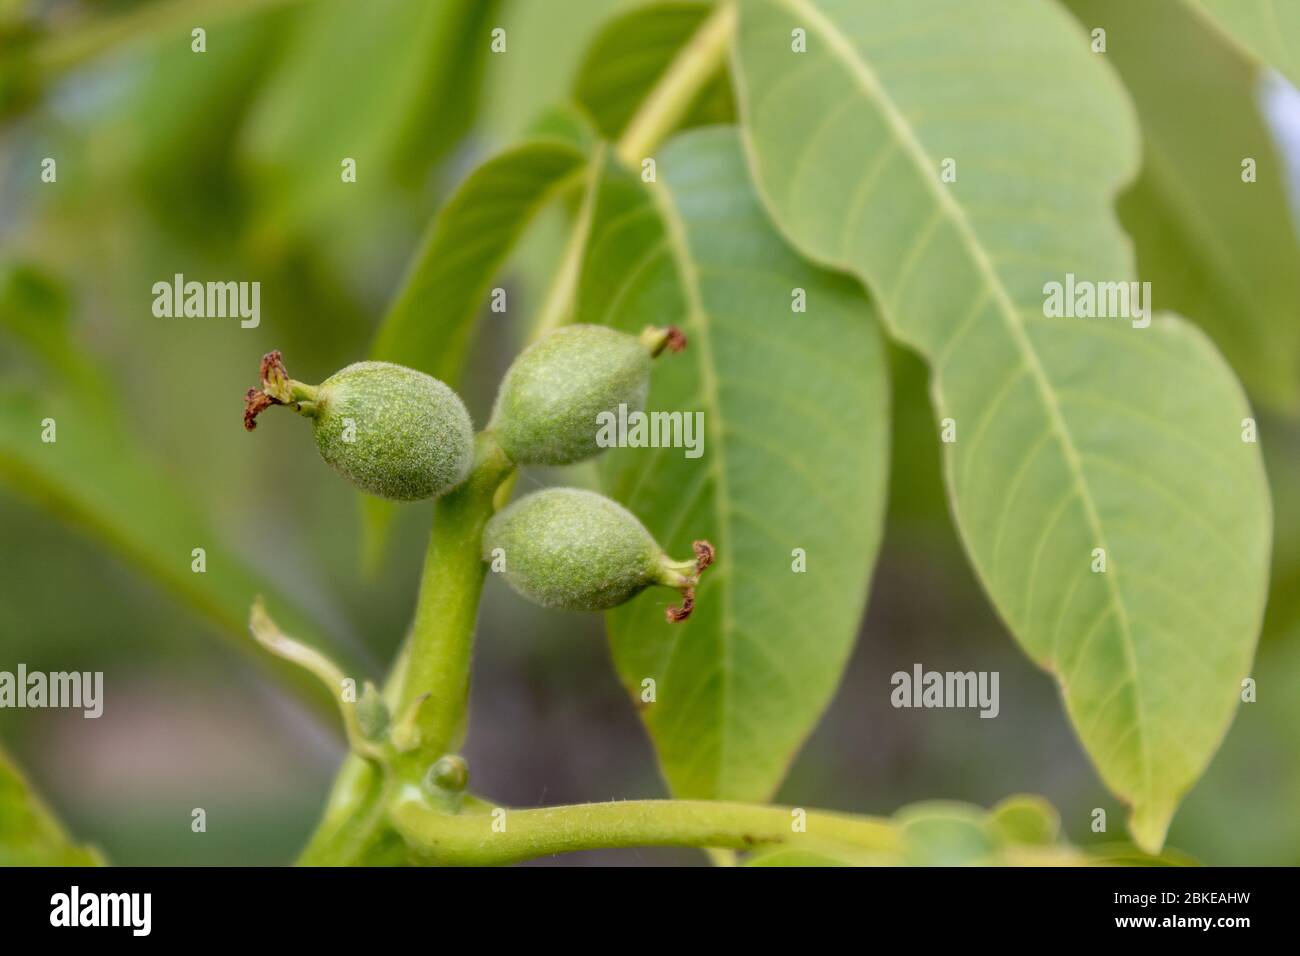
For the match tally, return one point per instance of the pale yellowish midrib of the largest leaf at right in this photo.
(896, 123)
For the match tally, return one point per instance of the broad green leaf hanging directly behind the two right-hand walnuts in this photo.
(795, 457)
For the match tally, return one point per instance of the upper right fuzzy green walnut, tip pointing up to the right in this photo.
(549, 401)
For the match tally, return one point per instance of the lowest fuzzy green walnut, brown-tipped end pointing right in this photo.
(582, 552)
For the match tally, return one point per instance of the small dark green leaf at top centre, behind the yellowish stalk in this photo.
(632, 54)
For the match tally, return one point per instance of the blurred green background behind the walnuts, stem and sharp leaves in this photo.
(226, 166)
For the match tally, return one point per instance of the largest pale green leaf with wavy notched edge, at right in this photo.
(1073, 435)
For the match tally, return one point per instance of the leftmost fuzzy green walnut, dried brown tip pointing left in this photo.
(389, 430)
